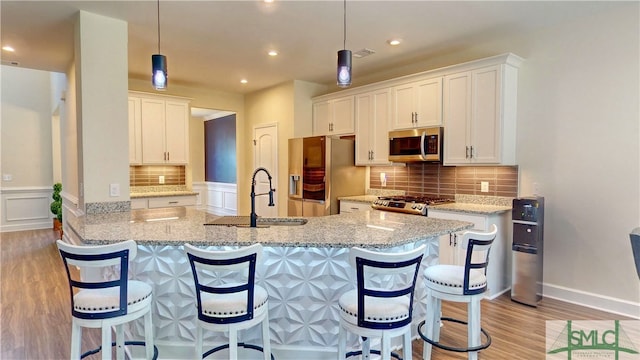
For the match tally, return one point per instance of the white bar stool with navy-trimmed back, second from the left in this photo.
(229, 307)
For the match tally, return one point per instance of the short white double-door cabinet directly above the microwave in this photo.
(418, 104)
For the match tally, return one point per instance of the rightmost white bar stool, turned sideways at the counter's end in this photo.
(458, 283)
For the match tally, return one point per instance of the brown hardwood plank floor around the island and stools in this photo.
(36, 319)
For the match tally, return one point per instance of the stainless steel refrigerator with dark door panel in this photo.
(321, 169)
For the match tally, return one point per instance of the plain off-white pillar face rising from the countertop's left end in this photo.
(101, 80)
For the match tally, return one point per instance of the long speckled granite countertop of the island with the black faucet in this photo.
(175, 226)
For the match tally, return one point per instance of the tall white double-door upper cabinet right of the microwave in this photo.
(480, 116)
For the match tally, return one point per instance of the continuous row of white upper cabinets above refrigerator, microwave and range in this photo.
(475, 102)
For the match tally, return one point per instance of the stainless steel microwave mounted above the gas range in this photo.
(423, 144)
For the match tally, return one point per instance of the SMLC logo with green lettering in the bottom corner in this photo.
(590, 339)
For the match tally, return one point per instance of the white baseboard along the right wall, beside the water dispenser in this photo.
(591, 300)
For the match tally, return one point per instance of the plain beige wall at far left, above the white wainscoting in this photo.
(26, 127)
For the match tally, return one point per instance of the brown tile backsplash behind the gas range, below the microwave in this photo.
(428, 179)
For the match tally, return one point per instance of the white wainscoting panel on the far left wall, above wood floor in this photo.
(26, 208)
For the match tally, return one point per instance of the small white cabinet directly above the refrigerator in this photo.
(334, 116)
